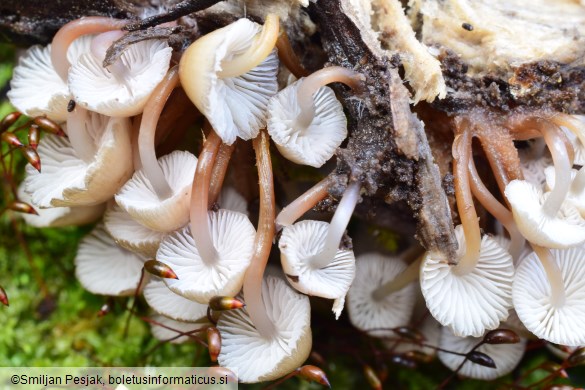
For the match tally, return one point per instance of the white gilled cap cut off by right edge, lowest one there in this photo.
(531, 293)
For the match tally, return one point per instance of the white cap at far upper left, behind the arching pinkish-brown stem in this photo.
(36, 88)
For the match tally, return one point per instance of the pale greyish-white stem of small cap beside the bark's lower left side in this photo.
(337, 226)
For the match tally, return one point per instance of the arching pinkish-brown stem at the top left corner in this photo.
(73, 30)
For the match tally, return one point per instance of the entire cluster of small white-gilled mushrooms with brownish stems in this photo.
(170, 213)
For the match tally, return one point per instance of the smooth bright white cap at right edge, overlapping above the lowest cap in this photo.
(565, 229)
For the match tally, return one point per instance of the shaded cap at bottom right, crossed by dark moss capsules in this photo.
(505, 356)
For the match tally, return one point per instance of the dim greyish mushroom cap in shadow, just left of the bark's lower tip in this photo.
(394, 310)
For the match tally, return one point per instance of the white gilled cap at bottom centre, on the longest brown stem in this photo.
(256, 358)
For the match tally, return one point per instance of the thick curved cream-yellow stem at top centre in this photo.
(256, 53)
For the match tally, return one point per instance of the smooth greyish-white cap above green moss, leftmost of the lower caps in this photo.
(103, 267)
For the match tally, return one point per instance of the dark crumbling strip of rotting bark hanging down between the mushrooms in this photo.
(387, 150)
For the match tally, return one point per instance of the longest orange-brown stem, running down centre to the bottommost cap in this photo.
(263, 240)
